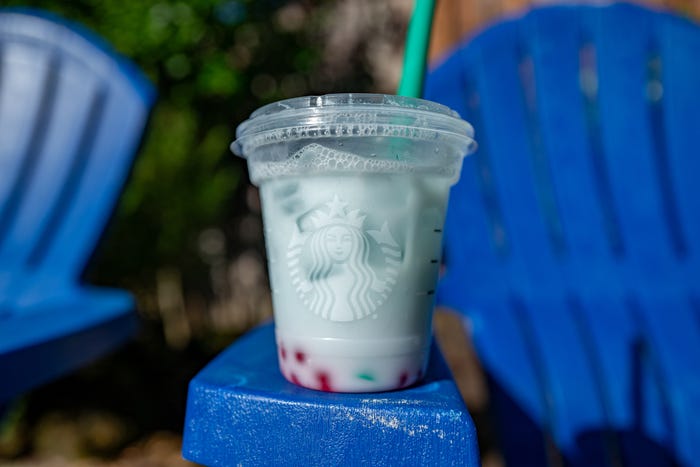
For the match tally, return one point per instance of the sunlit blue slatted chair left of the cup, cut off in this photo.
(72, 113)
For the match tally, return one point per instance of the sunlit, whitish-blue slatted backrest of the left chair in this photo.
(72, 114)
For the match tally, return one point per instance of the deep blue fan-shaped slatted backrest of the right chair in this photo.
(586, 177)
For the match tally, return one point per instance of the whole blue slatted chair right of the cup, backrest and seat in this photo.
(573, 237)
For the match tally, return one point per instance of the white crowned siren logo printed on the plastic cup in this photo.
(341, 271)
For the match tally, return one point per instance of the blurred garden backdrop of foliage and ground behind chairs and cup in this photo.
(187, 237)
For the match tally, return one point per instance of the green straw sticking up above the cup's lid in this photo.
(416, 54)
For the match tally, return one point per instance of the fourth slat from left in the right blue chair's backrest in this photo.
(625, 46)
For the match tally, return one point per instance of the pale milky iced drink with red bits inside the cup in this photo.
(353, 262)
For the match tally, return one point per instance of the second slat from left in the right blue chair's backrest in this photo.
(507, 129)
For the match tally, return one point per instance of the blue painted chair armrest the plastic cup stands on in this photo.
(241, 411)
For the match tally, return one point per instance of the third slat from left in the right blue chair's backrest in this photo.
(563, 77)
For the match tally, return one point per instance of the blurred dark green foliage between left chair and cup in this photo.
(213, 62)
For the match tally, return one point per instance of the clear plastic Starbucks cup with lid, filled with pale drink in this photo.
(354, 189)
